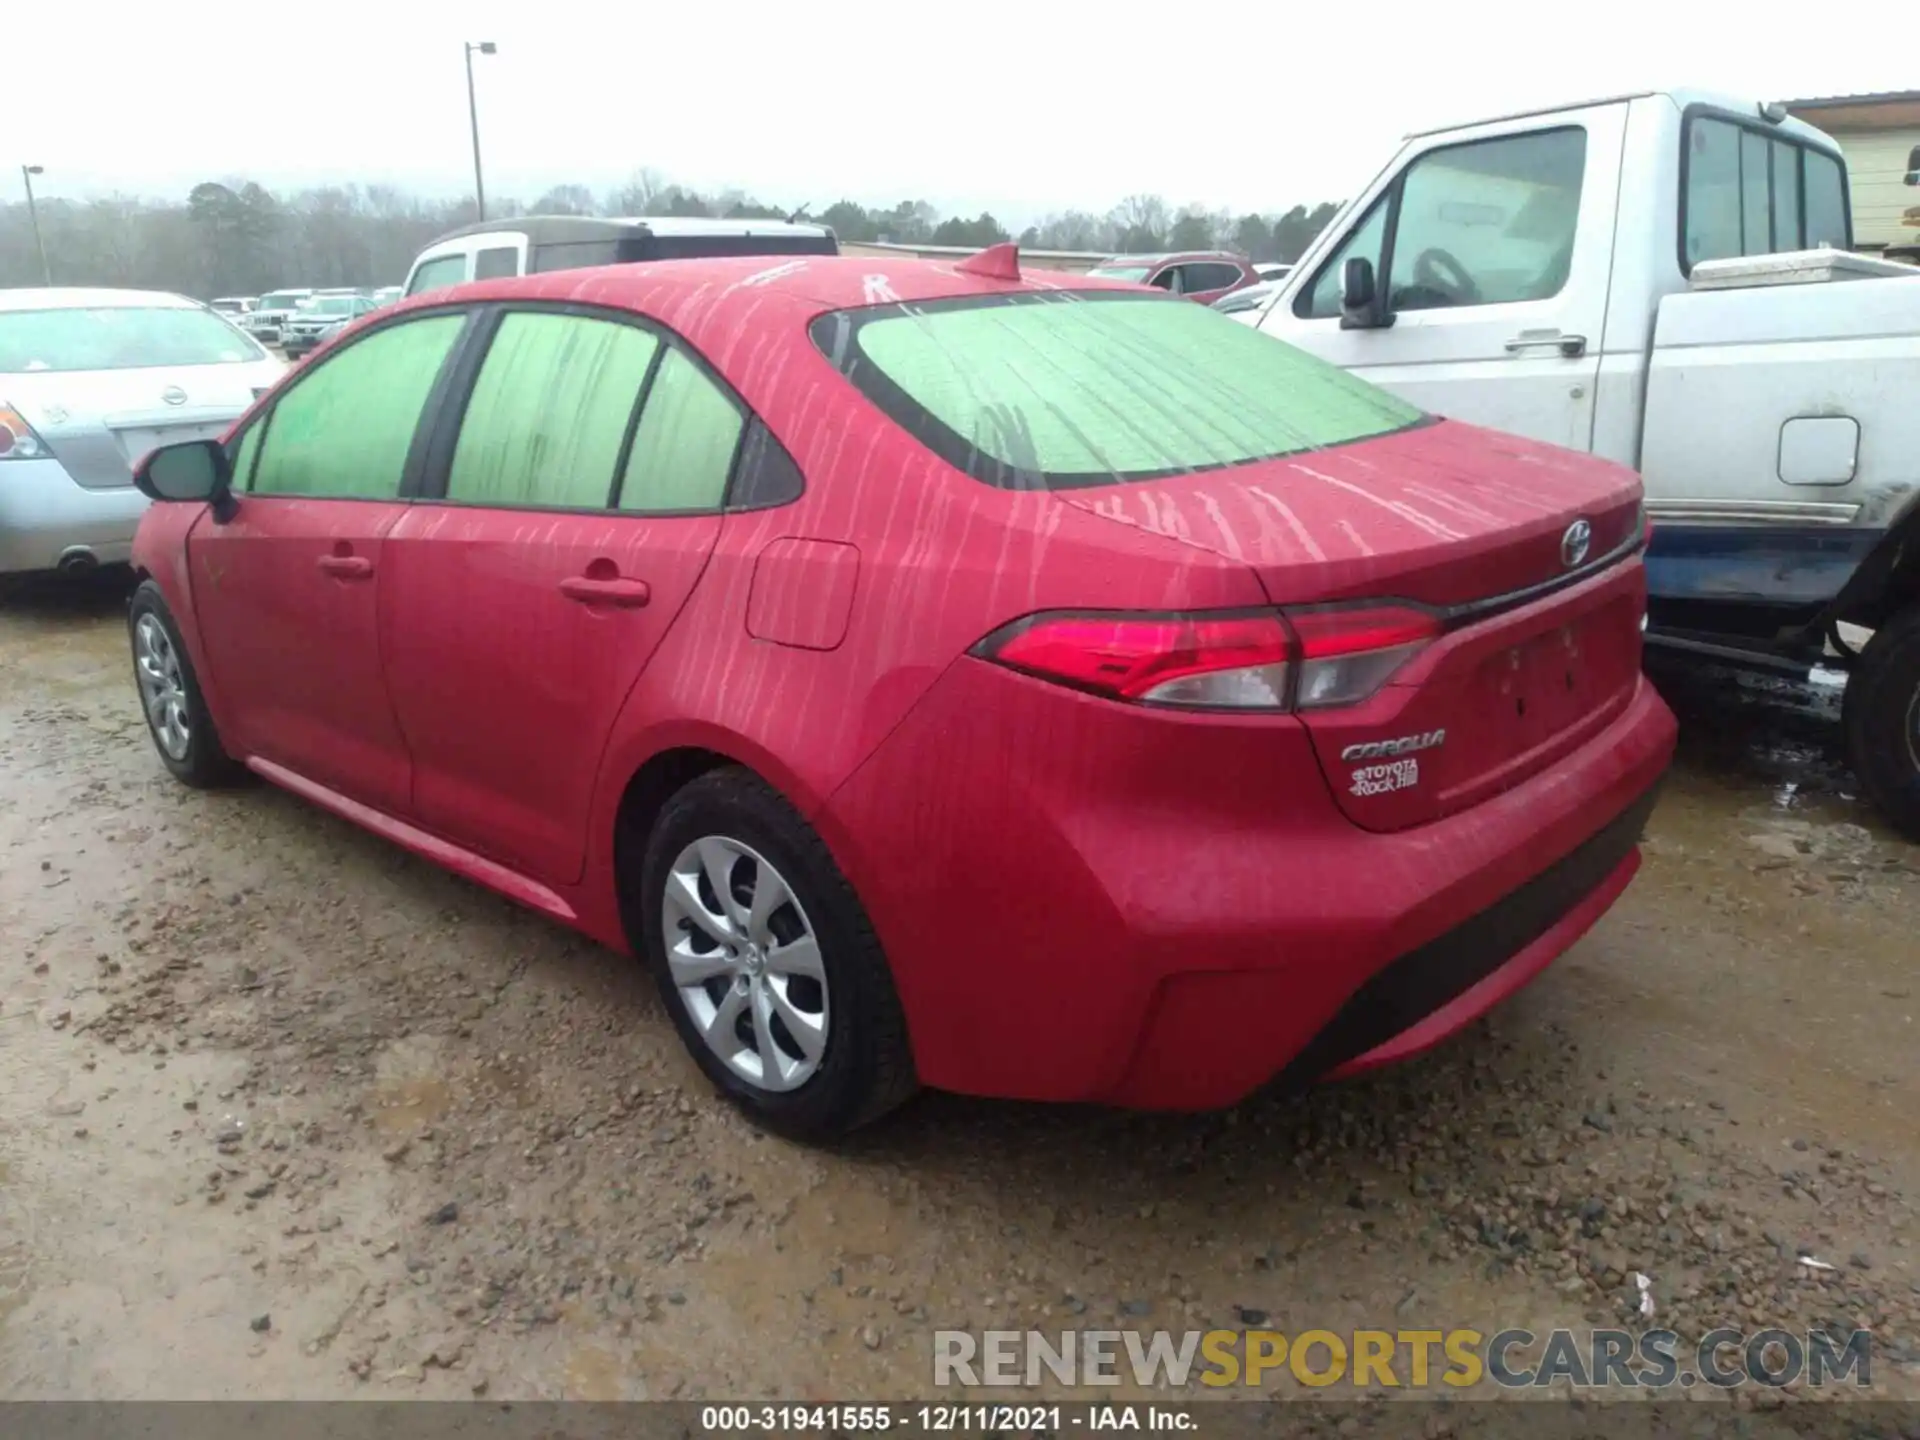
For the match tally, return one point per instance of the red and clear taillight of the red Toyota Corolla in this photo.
(1239, 661)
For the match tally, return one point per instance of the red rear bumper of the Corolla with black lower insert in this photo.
(1086, 901)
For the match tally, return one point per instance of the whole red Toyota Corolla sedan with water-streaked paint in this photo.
(936, 675)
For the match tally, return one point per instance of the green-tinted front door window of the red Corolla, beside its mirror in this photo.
(345, 427)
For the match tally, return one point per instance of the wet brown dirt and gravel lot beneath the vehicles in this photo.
(285, 1113)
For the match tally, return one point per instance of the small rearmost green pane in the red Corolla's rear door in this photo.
(686, 441)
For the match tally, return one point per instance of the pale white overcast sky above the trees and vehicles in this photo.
(1017, 108)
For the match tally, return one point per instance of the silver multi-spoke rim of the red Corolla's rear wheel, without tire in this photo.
(746, 963)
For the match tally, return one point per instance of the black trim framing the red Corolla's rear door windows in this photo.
(439, 458)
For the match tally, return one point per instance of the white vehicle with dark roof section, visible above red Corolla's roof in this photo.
(531, 245)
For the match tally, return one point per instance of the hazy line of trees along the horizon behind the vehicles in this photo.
(239, 239)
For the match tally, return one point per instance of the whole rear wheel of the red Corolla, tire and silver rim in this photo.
(769, 965)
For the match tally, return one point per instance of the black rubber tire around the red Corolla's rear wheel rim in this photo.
(867, 1065)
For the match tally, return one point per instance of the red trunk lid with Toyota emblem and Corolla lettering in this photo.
(1541, 633)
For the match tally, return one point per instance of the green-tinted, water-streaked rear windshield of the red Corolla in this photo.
(1063, 391)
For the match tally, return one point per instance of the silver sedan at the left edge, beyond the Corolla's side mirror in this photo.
(89, 383)
